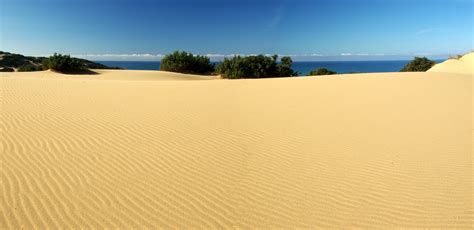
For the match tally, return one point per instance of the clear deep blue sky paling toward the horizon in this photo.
(307, 30)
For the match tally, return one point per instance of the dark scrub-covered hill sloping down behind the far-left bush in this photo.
(10, 61)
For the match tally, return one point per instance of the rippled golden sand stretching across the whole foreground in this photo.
(126, 149)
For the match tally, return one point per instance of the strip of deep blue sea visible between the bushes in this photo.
(301, 67)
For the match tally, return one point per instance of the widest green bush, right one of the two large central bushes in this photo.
(259, 66)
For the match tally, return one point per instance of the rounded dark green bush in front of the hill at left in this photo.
(64, 64)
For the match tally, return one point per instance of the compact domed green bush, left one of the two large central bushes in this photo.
(183, 62)
